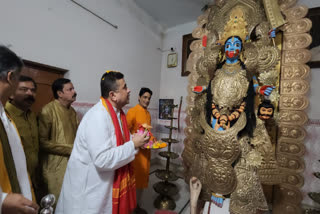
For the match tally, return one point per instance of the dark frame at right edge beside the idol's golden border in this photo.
(314, 16)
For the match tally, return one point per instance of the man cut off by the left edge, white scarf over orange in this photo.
(15, 195)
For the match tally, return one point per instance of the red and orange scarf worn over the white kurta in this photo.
(124, 184)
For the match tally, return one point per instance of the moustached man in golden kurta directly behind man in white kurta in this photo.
(57, 130)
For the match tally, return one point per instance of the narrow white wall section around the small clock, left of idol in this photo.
(172, 84)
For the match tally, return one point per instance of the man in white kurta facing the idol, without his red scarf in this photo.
(88, 181)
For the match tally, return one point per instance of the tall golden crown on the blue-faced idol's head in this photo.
(236, 26)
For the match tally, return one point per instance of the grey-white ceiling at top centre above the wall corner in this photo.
(170, 13)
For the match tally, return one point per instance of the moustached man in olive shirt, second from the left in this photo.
(18, 107)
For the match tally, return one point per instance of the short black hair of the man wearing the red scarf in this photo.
(109, 82)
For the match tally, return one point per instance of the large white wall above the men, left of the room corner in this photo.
(61, 34)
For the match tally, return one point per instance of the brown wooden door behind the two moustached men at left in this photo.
(44, 76)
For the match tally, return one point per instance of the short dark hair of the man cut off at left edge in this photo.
(9, 61)
